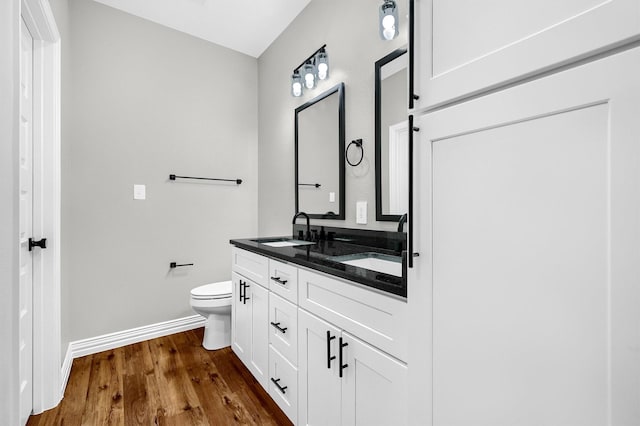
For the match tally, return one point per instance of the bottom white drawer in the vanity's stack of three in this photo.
(283, 384)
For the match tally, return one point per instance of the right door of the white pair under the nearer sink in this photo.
(374, 386)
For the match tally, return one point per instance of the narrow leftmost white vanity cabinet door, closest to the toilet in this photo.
(240, 320)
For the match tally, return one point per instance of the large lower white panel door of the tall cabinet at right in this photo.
(526, 311)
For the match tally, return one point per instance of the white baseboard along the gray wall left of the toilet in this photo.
(118, 339)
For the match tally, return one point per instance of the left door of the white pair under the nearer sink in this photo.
(319, 392)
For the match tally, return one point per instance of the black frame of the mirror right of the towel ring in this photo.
(378, 134)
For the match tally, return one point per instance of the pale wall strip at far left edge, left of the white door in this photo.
(9, 82)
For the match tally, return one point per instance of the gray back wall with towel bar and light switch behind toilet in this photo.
(144, 101)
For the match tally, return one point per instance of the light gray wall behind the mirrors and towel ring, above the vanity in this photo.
(350, 30)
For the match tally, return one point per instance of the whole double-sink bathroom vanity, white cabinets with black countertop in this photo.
(322, 324)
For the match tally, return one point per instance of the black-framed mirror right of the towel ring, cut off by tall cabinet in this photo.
(391, 136)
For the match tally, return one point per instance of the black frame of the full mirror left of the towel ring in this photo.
(339, 88)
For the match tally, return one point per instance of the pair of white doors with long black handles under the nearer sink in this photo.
(344, 381)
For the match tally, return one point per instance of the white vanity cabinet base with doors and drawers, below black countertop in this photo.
(309, 315)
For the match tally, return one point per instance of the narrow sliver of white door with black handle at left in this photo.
(26, 219)
